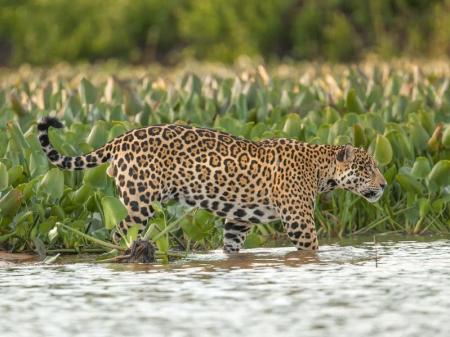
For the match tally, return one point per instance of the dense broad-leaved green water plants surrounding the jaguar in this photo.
(401, 113)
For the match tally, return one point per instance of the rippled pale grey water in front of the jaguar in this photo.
(398, 287)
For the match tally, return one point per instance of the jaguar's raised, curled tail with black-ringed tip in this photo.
(92, 159)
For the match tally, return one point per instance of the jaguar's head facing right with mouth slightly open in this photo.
(356, 171)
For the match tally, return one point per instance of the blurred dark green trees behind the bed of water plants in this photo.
(167, 31)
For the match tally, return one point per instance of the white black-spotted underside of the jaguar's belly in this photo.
(246, 212)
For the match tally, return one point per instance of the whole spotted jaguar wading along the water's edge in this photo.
(242, 181)
